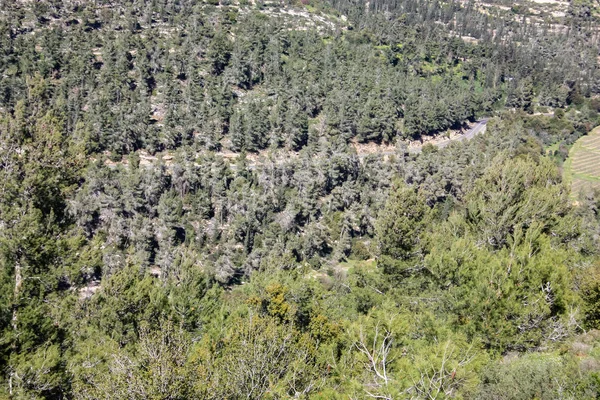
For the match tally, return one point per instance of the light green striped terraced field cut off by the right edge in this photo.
(582, 168)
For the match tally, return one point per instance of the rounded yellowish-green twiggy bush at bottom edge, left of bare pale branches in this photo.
(259, 358)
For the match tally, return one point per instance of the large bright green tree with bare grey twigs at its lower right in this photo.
(513, 299)
